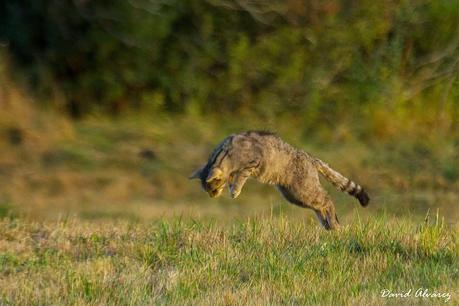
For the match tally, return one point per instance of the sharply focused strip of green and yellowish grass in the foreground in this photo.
(270, 260)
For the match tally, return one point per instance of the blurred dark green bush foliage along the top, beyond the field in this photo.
(321, 60)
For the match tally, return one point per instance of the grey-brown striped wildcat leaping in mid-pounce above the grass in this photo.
(267, 158)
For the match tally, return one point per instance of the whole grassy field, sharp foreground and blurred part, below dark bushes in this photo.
(100, 211)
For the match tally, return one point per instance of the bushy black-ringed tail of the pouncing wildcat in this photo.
(341, 182)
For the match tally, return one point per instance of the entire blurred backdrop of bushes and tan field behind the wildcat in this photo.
(107, 106)
